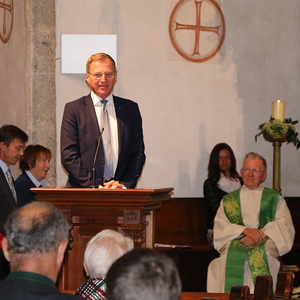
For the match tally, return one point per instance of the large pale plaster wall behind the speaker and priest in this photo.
(189, 107)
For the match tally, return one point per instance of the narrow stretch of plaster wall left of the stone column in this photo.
(13, 106)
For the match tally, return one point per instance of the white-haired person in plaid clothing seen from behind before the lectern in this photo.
(101, 252)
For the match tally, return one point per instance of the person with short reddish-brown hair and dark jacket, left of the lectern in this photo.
(34, 164)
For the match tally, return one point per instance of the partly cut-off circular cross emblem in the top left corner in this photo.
(6, 19)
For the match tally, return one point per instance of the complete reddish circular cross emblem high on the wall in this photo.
(197, 29)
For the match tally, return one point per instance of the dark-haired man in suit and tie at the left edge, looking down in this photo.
(12, 144)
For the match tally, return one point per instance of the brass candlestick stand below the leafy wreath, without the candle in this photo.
(277, 140)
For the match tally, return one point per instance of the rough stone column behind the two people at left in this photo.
(40, 77)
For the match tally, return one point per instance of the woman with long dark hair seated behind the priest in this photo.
(222, 179)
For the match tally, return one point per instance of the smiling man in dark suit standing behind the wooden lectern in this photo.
(81, 133)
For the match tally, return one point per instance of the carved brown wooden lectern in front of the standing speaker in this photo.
(92, 210)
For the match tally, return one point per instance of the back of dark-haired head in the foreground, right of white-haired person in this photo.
(143, 274)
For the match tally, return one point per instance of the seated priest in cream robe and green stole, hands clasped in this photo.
(252, 228)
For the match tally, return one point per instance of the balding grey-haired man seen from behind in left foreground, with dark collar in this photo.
(36, 237)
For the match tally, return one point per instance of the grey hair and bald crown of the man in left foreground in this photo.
(37, 227)
